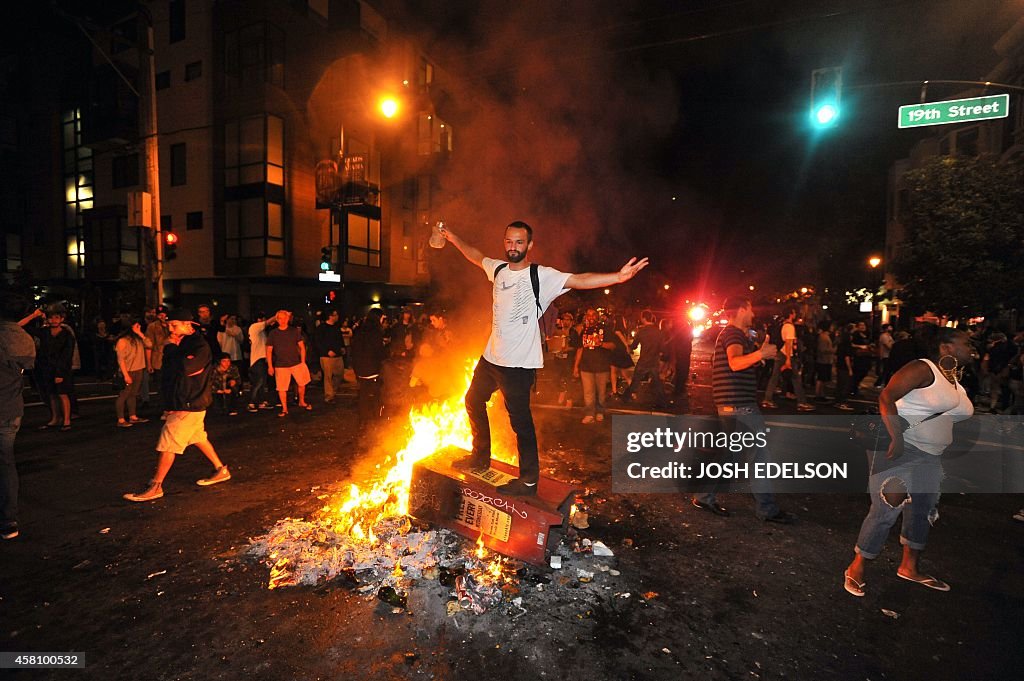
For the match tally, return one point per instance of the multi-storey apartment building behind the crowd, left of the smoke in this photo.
(272, 148)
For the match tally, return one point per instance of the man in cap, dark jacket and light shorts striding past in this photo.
(187, 390)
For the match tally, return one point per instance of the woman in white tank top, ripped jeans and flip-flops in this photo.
(920, 406)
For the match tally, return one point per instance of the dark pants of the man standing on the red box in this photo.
(516, 385)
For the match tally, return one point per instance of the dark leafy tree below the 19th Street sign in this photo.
(964, 247)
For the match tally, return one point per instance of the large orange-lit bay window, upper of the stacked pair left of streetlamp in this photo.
(254, 151)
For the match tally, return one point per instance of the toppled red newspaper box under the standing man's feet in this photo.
(525, 528)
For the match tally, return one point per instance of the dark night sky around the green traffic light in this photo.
(707, 102)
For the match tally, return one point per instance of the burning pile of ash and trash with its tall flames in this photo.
(367, 536)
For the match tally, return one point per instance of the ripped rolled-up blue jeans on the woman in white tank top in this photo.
(912, 483)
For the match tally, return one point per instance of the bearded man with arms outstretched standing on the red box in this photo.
(522, 293)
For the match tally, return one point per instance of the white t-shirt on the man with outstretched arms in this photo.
(516, 334)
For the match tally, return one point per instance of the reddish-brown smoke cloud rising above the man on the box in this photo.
(553, 127)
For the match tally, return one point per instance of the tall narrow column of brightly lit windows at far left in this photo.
(78, 192)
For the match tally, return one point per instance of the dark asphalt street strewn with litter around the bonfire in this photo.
(165, 590)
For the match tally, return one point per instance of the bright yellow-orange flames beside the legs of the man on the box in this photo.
(434, 428)
